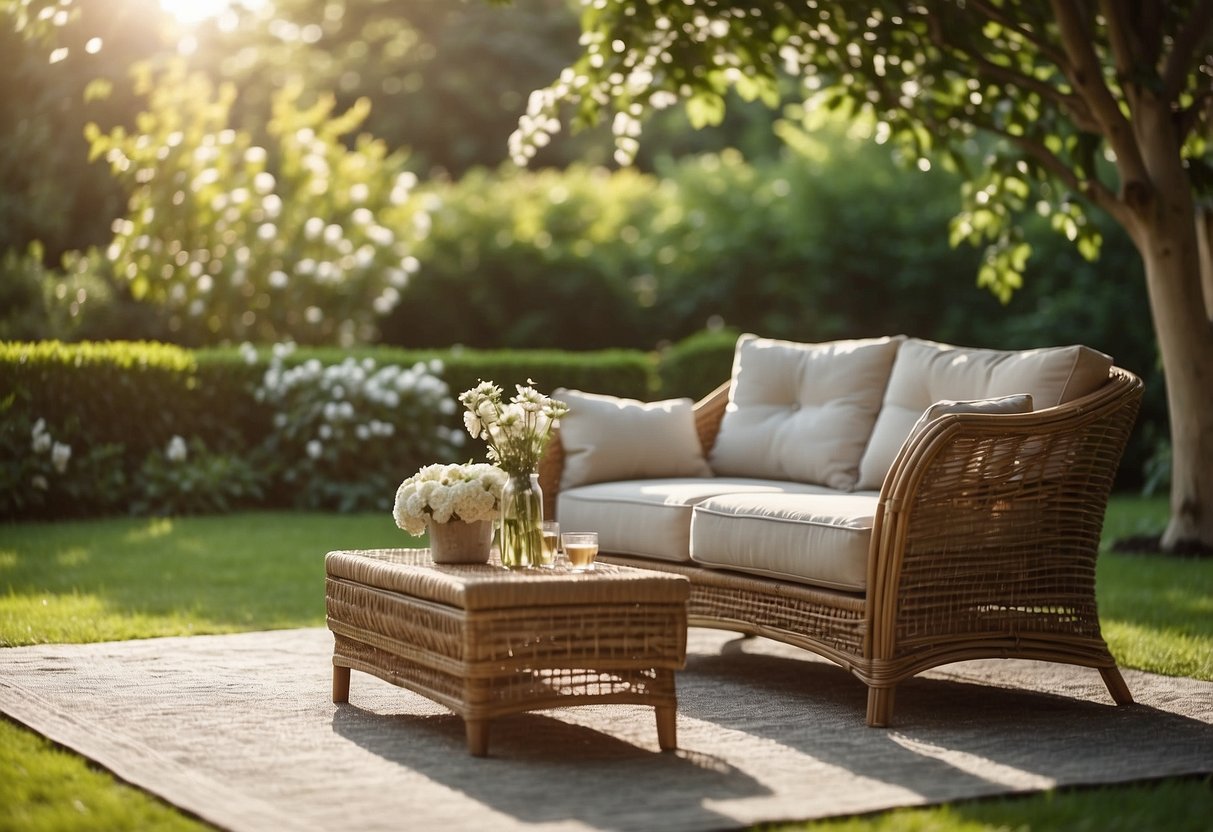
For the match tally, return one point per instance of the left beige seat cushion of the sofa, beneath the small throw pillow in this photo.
(652, 517)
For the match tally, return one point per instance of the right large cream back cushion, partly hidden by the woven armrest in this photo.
(926, 373)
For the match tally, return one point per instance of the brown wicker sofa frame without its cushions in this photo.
(984, 538)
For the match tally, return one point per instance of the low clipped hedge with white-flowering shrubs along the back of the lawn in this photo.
(149, 429)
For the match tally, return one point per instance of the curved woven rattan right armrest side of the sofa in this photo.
(989, 532)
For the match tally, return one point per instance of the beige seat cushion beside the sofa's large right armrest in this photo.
(817, 539)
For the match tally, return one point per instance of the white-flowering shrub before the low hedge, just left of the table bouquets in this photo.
(344, 432)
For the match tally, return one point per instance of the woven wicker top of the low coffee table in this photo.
(492, 586)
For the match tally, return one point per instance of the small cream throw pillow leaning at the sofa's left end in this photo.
(608, 438)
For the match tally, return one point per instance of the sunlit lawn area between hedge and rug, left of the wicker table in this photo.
(119, 579)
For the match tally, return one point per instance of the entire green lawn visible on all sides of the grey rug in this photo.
(118, 579)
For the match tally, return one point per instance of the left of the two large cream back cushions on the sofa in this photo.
(802, 412)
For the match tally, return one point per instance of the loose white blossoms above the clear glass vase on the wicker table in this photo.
(519, 432)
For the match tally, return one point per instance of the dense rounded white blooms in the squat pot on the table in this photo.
(445, 493)
